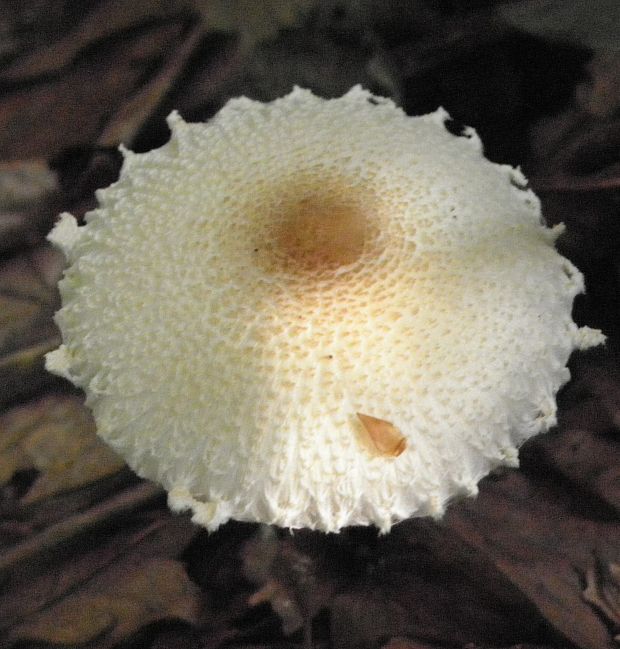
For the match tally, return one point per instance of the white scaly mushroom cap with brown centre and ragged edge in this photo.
(316, 313)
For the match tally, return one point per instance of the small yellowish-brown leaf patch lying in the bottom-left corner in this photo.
(115, 604)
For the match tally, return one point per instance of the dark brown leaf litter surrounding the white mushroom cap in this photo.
(89, 555)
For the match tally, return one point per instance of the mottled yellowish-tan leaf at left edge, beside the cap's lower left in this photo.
(55, 435)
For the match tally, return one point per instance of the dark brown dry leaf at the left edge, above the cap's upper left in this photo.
(48, 116)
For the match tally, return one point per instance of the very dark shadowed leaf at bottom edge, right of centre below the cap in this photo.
(422, 581)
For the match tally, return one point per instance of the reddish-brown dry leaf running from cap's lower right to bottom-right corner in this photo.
(536, 534)
